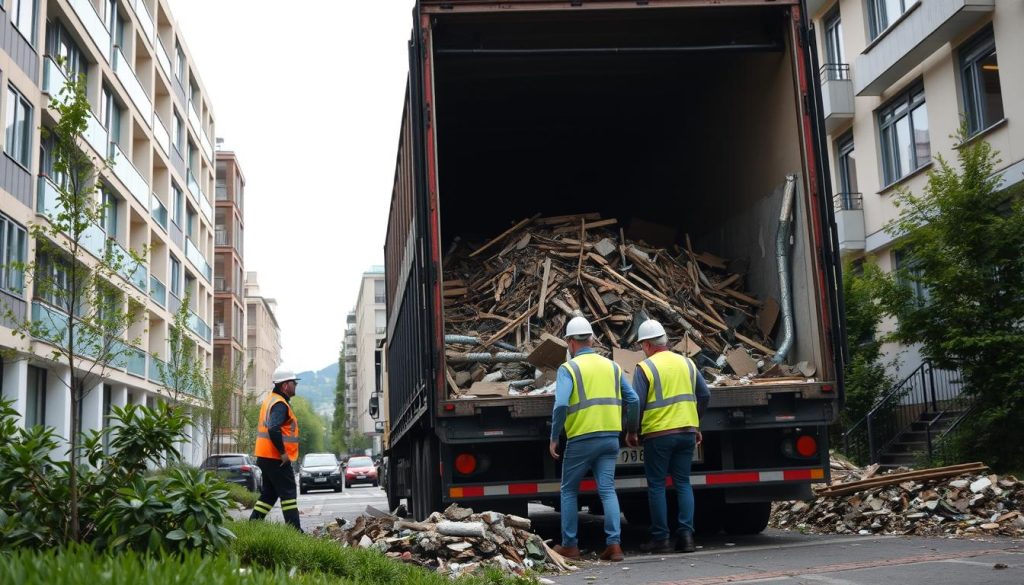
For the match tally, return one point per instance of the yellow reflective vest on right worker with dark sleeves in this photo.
(671, 399)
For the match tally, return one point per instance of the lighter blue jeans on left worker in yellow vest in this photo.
(599, 454)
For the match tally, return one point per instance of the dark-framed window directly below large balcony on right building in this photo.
(904, 131)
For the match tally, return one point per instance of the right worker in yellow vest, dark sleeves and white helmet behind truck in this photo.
(673, 398)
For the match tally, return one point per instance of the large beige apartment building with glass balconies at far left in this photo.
(153, 119)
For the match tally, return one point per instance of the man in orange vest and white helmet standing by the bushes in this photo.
(277, 448)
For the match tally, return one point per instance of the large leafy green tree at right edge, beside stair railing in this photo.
(961, 292)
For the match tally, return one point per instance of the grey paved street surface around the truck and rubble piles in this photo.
(776, 557)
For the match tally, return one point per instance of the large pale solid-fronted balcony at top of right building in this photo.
(912, 38)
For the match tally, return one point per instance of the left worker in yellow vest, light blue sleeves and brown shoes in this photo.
(590, 392)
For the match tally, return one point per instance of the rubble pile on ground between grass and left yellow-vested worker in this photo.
(457, 541)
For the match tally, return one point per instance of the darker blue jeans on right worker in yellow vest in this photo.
(669, 455)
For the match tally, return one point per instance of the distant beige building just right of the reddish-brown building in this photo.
(263, 340)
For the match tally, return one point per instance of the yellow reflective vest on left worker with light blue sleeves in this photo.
(596, 404)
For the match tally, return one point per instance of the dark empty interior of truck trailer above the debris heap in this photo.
(682, 117)
